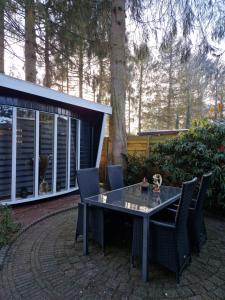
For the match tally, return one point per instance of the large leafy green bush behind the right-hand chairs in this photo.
(200, 150)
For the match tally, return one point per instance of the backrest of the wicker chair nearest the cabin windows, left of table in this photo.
(88, 182)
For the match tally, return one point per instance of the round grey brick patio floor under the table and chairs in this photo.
(45, 263)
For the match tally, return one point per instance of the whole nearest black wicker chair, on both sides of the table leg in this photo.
(169, 244)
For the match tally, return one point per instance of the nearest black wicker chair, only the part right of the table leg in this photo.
(170, 241)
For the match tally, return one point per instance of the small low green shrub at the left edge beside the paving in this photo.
(7, 227)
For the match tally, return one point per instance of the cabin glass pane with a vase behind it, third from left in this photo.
(46, 146)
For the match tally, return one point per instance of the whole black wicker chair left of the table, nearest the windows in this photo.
(88, 182)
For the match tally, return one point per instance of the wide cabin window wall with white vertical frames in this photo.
(33, 156)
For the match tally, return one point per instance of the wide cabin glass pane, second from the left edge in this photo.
(25, 143)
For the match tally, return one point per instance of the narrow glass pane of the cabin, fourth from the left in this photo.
(61, 181)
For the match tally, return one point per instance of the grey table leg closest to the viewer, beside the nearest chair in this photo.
(145, 249)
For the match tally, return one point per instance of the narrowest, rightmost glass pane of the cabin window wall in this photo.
(73, 153)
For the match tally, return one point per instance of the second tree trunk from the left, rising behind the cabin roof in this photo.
(30, 41)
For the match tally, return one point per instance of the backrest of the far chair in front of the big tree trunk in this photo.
(115, 177)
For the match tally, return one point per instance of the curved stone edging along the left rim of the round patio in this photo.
(4, 250)
